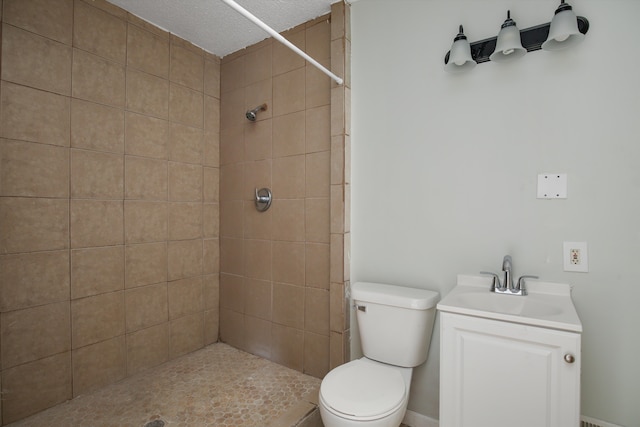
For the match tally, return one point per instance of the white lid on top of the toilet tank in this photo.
(396, 296)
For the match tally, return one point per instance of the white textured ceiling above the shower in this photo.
(216, 27)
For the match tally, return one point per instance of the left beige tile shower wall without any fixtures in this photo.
(109, 199)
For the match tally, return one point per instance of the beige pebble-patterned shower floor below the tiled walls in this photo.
(215, 386)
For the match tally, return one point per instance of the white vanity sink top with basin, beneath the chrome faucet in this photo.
(547, 304)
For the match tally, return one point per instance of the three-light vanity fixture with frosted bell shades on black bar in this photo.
(565, 30)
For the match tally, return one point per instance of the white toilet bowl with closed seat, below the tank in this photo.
(365, 393)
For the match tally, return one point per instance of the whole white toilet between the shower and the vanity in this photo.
(395, 325)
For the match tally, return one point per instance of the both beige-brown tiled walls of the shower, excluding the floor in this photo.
(126, 230)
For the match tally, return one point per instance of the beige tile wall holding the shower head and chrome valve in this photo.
(278, 298)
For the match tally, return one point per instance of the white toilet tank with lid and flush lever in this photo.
(395, 322)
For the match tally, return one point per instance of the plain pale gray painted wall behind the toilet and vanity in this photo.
(445, 168)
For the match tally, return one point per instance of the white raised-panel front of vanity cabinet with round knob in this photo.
(501, 374)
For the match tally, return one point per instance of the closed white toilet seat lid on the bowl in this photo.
(363, 390)
